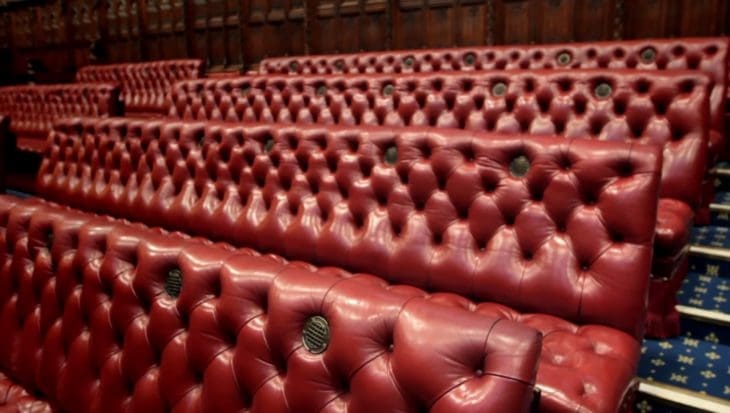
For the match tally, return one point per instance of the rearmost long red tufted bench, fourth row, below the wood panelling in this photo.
(709, 55)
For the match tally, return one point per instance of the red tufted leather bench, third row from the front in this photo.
(668, 109)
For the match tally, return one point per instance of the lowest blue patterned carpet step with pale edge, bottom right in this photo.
(686, 366)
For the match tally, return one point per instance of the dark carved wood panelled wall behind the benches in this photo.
(55, 36)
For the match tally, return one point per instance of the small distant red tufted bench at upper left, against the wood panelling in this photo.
(144, 85)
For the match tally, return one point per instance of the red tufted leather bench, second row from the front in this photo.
(537, 225)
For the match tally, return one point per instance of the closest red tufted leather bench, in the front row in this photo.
(98, 315)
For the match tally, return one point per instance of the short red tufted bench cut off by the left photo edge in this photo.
(33, 109)
